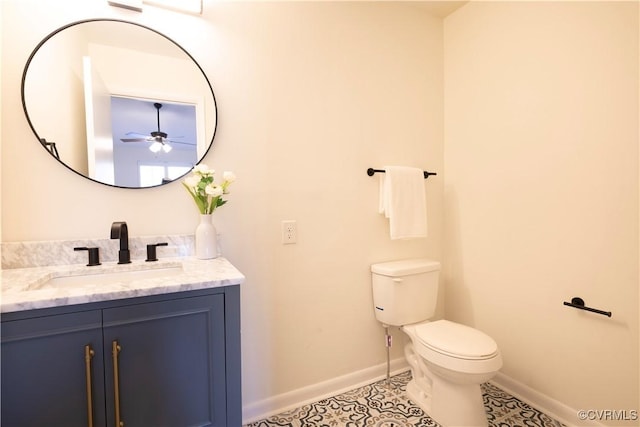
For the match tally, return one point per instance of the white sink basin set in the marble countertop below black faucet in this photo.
(106, 278)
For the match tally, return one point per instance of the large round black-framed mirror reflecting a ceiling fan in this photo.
(119, 103)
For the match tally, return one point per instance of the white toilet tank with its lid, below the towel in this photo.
(405, 291)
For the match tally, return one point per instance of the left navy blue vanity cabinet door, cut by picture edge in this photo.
(44, 375)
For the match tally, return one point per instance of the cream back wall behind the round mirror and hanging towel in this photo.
(309, 96)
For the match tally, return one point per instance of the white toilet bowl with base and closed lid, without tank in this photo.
(448, 363)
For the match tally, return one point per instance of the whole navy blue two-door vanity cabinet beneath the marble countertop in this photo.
(171, 361)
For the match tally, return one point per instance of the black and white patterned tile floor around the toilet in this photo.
(376, 405)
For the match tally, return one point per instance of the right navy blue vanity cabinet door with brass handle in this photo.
(170, 363)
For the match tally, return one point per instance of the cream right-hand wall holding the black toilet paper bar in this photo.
(541, 191)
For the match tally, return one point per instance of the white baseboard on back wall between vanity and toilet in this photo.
(287, 401)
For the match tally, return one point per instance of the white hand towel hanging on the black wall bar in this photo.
(402, 200)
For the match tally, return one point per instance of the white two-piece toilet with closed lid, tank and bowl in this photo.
(448, 360)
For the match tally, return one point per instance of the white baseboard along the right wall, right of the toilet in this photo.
(555, 409)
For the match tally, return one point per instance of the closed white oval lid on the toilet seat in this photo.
(456, 340)
